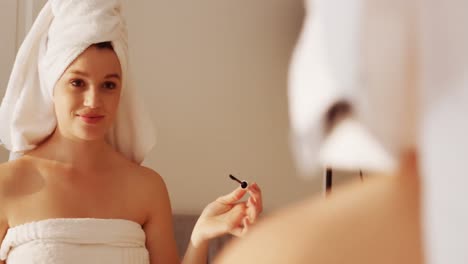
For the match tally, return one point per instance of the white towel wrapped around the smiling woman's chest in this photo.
(75, 240)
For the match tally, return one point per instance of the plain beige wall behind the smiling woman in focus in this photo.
(213, 74)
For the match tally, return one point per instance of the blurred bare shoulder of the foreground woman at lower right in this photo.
(381, 215)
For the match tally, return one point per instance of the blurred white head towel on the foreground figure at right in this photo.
(356, 52)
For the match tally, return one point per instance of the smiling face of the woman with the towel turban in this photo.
(86, 96)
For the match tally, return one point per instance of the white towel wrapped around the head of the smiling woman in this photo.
(61, 32)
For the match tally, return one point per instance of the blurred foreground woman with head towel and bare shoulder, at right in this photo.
(398, 70)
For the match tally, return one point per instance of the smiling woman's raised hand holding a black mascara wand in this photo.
(227, 215)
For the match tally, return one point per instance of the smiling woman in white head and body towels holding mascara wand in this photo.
(75, 191)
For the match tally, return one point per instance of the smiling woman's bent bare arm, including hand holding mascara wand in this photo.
(226, 215)
